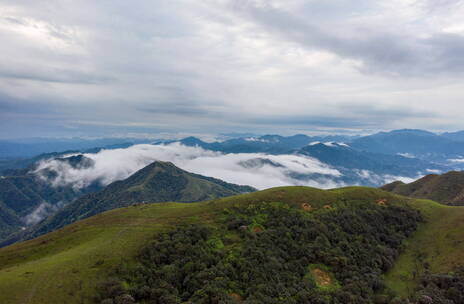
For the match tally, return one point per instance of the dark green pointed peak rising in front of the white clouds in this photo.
(157, 182)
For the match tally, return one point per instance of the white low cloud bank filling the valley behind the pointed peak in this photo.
(255, 169)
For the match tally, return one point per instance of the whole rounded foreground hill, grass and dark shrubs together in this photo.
(351, 243)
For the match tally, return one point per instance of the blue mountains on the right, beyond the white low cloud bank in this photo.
(361, 160)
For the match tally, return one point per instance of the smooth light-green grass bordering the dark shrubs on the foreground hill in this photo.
(65, 266)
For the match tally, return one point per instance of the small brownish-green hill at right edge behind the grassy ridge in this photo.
(447, 188)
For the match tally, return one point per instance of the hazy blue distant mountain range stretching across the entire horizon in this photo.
(445, 149)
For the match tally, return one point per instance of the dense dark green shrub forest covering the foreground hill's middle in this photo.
(272, 253)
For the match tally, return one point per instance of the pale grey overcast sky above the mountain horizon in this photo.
(106, 68)
